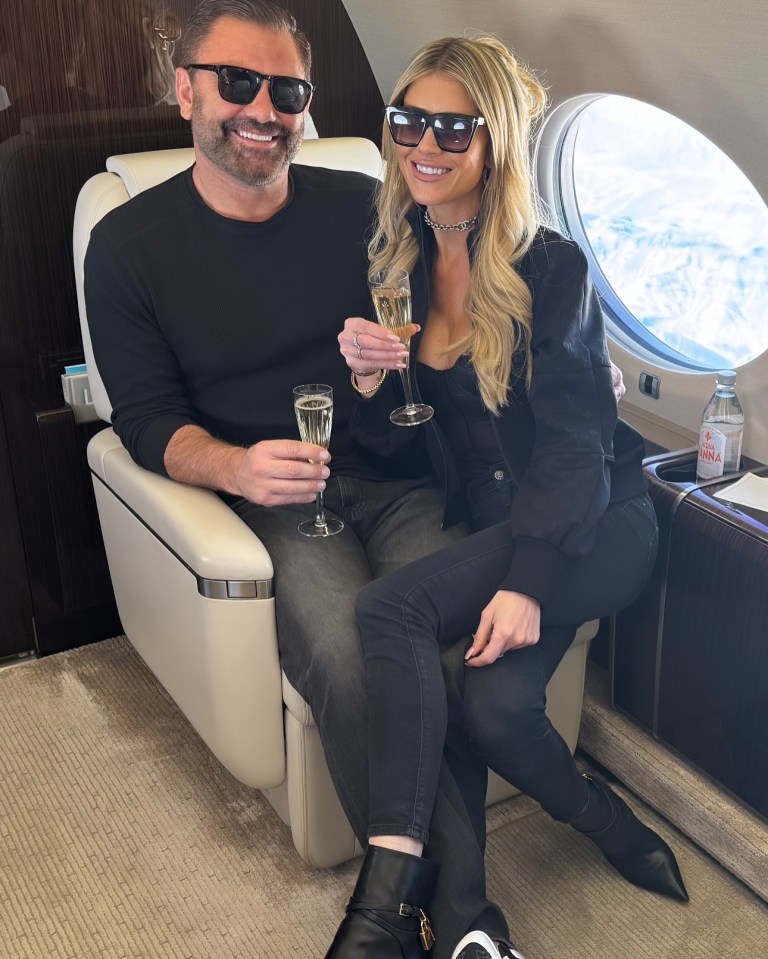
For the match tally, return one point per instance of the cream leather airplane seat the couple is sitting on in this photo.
(194, 585)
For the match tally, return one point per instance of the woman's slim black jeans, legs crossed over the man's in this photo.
(406, 618)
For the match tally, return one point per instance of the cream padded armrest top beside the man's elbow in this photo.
(195, 524)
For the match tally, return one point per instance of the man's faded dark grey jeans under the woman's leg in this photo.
(388, 525)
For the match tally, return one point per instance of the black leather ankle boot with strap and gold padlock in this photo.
(386, 916)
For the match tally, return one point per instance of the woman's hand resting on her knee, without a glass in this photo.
(509, 621)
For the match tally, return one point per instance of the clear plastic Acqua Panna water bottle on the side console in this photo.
(722, 430)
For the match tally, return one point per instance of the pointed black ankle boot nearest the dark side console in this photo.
(639, 854)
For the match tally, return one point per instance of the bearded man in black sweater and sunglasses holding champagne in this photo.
(209, 298)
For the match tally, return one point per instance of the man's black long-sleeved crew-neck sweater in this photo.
(196, 318)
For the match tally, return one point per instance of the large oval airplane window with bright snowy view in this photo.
(676, 235)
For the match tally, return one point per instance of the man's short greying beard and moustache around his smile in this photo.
(220, 144)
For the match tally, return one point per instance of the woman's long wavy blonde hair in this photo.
(498, 301)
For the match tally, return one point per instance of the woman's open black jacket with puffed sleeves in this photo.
(566, 450)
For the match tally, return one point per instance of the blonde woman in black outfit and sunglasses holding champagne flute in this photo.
(512, 357)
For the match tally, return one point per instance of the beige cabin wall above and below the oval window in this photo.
(701, 60)
